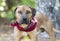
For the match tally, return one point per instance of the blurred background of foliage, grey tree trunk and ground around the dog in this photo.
(51, 8)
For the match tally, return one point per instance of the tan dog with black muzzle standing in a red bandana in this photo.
(23, 14)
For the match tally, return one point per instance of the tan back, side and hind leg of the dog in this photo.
(44, 22)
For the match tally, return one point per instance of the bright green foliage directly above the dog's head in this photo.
(30, 3)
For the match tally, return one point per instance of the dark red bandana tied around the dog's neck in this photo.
(30, 27)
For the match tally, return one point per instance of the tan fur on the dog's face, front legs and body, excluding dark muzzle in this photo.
(43, 22)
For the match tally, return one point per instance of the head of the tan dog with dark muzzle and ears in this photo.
(24, 13)
